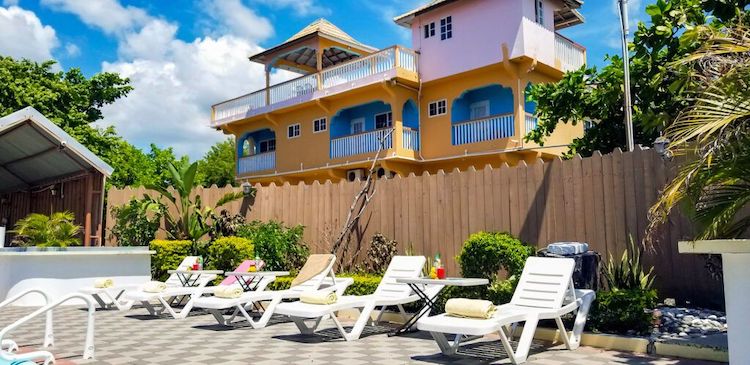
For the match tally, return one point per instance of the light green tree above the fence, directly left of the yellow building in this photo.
(217, 166)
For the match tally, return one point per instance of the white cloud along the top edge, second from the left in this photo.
(108, 15)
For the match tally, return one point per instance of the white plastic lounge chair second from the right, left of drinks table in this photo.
(388, 293)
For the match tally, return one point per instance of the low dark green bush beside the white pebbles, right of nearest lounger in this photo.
(622, 311)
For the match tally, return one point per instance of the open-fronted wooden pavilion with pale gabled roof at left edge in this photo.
(45, 170)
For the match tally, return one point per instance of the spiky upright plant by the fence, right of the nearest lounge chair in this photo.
(628, 273)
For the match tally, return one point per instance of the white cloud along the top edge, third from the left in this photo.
(230, 16)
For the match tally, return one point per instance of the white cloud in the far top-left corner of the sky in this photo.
(22, 35)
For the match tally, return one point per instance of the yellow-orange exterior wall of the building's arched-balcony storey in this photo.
(306, 158)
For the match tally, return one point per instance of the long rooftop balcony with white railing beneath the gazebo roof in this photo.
(383, 65)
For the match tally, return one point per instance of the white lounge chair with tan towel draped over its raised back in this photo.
(249, 300)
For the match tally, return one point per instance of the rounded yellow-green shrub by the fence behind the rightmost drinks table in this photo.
(485, 253)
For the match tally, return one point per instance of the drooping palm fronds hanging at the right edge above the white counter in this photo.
(712, 137)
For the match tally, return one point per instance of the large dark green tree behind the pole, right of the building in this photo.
(659, 93)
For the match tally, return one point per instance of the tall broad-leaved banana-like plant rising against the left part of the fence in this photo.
(191, 220)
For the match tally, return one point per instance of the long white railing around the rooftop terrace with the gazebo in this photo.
(342, 74)
